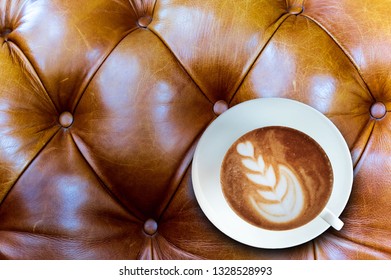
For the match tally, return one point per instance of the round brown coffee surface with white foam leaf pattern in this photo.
(276, 178)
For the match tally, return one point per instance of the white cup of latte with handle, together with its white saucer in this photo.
(244, 225)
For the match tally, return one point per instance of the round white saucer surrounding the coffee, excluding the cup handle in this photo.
(239, 120)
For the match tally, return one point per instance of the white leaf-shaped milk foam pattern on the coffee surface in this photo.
(279, 199)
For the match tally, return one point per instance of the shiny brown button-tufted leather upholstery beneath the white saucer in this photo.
(102, 103)
